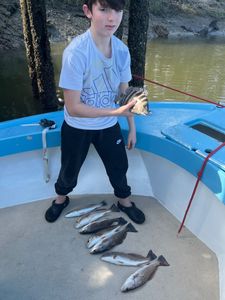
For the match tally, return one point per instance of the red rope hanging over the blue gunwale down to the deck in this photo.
(200, 173)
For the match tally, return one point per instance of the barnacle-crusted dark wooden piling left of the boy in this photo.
(38, 52)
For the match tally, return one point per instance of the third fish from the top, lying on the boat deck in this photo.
(96, 226)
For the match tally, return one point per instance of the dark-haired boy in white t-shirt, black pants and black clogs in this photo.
(96, 68)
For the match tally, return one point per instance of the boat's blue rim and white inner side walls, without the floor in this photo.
(165, 165)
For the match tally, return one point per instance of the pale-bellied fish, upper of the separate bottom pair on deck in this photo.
(128, 259)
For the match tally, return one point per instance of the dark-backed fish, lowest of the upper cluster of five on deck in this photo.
(116, 239)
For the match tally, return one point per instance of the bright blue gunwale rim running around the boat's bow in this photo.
(184, 133)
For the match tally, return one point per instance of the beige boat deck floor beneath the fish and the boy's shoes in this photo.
(46, 261)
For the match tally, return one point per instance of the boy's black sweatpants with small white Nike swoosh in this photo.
(110, 146)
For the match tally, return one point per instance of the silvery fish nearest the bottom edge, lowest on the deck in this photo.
(143, 274)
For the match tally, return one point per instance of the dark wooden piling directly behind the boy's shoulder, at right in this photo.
(137, 38)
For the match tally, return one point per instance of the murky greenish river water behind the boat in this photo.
(196, 66)
